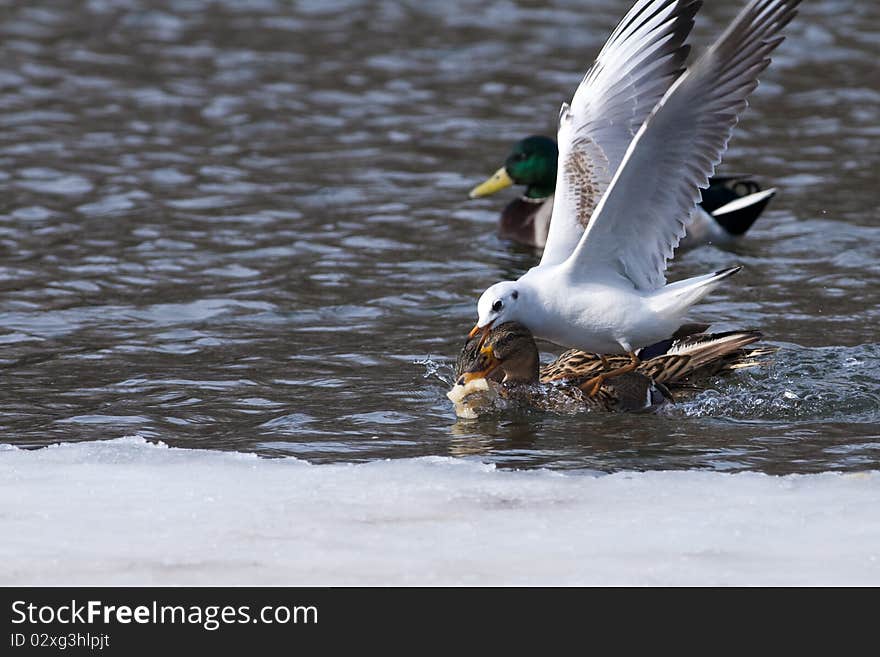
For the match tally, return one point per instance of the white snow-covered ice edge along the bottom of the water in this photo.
(130, 512)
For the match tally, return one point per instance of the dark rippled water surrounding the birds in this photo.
(243, 225)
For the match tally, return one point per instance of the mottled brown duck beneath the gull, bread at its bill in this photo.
(507, 365)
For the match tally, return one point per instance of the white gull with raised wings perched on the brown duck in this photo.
(605, 291)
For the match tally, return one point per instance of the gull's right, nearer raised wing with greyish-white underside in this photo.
(644, 213)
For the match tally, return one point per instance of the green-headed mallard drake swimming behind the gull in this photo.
(728, 208)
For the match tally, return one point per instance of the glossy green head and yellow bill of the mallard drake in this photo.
(531, 162)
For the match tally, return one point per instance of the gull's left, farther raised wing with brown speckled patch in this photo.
(637, 65)
